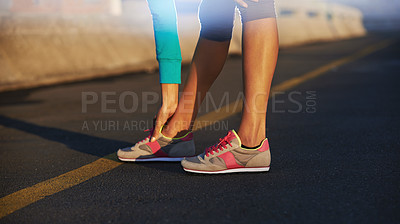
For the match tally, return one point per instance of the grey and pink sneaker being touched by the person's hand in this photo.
(163, 149)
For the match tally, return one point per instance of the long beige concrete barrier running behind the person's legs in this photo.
(43, 50)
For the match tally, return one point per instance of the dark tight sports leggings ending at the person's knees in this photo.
(217, 16)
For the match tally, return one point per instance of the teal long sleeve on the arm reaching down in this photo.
(167, 41)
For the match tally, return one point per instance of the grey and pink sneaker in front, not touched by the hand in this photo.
(229, 157)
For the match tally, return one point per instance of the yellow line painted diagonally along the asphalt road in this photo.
(27, 196)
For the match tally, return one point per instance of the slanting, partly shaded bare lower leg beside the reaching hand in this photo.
(208, 61)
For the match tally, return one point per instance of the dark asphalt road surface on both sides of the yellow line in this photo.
(334, 142)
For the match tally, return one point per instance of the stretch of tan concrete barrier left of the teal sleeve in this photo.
(66, 49)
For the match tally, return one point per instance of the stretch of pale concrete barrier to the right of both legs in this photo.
(313, 21)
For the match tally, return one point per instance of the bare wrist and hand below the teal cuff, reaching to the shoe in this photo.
(168, 108)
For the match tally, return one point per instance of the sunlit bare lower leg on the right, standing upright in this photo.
(260, 52)
